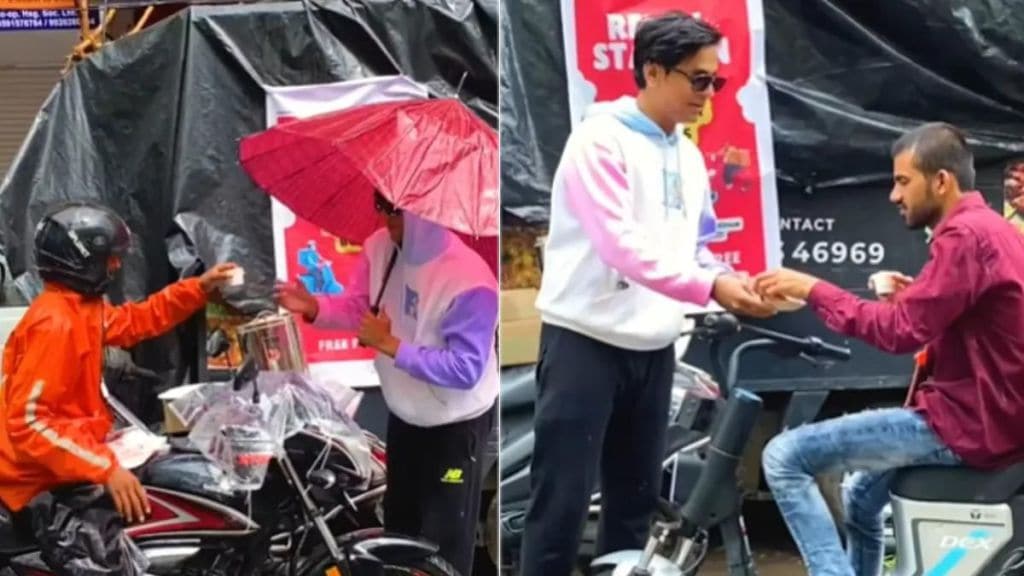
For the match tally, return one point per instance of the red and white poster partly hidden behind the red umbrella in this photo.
(308, 254)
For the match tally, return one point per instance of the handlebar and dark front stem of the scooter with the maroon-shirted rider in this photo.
(678, 543)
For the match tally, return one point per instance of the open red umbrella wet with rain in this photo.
(433, 158)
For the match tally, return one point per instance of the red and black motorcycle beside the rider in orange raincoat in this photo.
(309, 516)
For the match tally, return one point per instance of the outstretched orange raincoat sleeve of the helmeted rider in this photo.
(130, 324)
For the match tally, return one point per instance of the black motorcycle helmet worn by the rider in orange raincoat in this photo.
(75, 242)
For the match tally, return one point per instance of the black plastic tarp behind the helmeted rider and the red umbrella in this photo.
(150, 126)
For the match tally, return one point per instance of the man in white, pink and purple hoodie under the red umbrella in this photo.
(429, 304)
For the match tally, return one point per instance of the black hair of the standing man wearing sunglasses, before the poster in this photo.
(668, 40)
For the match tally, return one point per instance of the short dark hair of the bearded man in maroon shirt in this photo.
(938, 146)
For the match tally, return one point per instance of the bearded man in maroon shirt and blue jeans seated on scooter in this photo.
(967, 307)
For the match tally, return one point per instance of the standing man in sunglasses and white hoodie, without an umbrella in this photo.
(631, 217)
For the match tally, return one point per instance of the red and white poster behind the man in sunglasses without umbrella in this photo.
(734, 133)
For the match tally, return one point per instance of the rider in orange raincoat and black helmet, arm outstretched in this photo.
(54, 421)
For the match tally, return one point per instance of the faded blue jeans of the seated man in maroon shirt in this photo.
(874, 445)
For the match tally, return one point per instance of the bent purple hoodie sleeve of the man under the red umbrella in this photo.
(468, 330)
